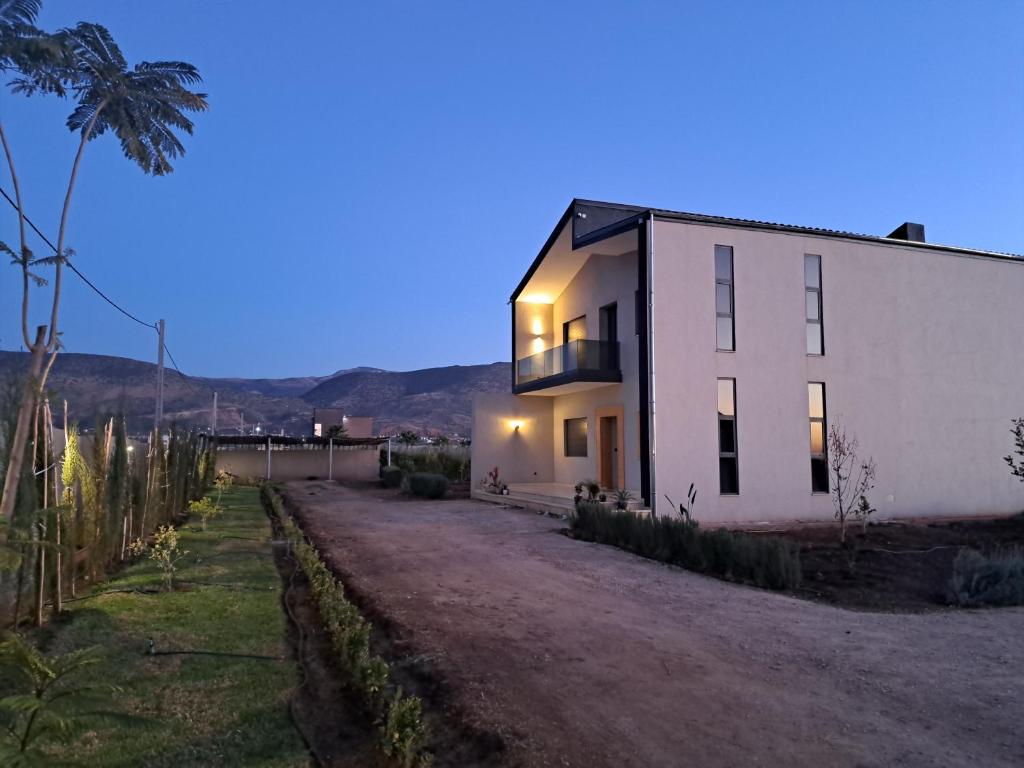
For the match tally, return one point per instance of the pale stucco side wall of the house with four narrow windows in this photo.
(924, 362)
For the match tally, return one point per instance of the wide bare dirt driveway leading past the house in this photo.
(581, 655)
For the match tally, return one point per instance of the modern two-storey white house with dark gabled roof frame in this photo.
(654, 350)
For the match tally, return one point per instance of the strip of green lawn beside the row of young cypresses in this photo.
(194, 710)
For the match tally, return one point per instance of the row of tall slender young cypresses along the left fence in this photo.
(82, 504)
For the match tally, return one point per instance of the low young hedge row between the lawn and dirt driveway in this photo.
(400, 717)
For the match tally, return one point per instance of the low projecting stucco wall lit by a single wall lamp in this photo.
(522, 456)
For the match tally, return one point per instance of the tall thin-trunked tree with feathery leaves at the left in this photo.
(143, 107)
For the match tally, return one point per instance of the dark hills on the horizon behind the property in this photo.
(432, 401)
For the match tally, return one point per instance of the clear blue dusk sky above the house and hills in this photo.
(373, 180)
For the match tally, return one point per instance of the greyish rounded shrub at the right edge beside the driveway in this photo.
(997, 579)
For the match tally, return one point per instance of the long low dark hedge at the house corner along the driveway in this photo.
(762, 561)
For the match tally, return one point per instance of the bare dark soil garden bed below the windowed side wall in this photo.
(893, 567)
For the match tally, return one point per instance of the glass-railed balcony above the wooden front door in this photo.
(581, 362)
